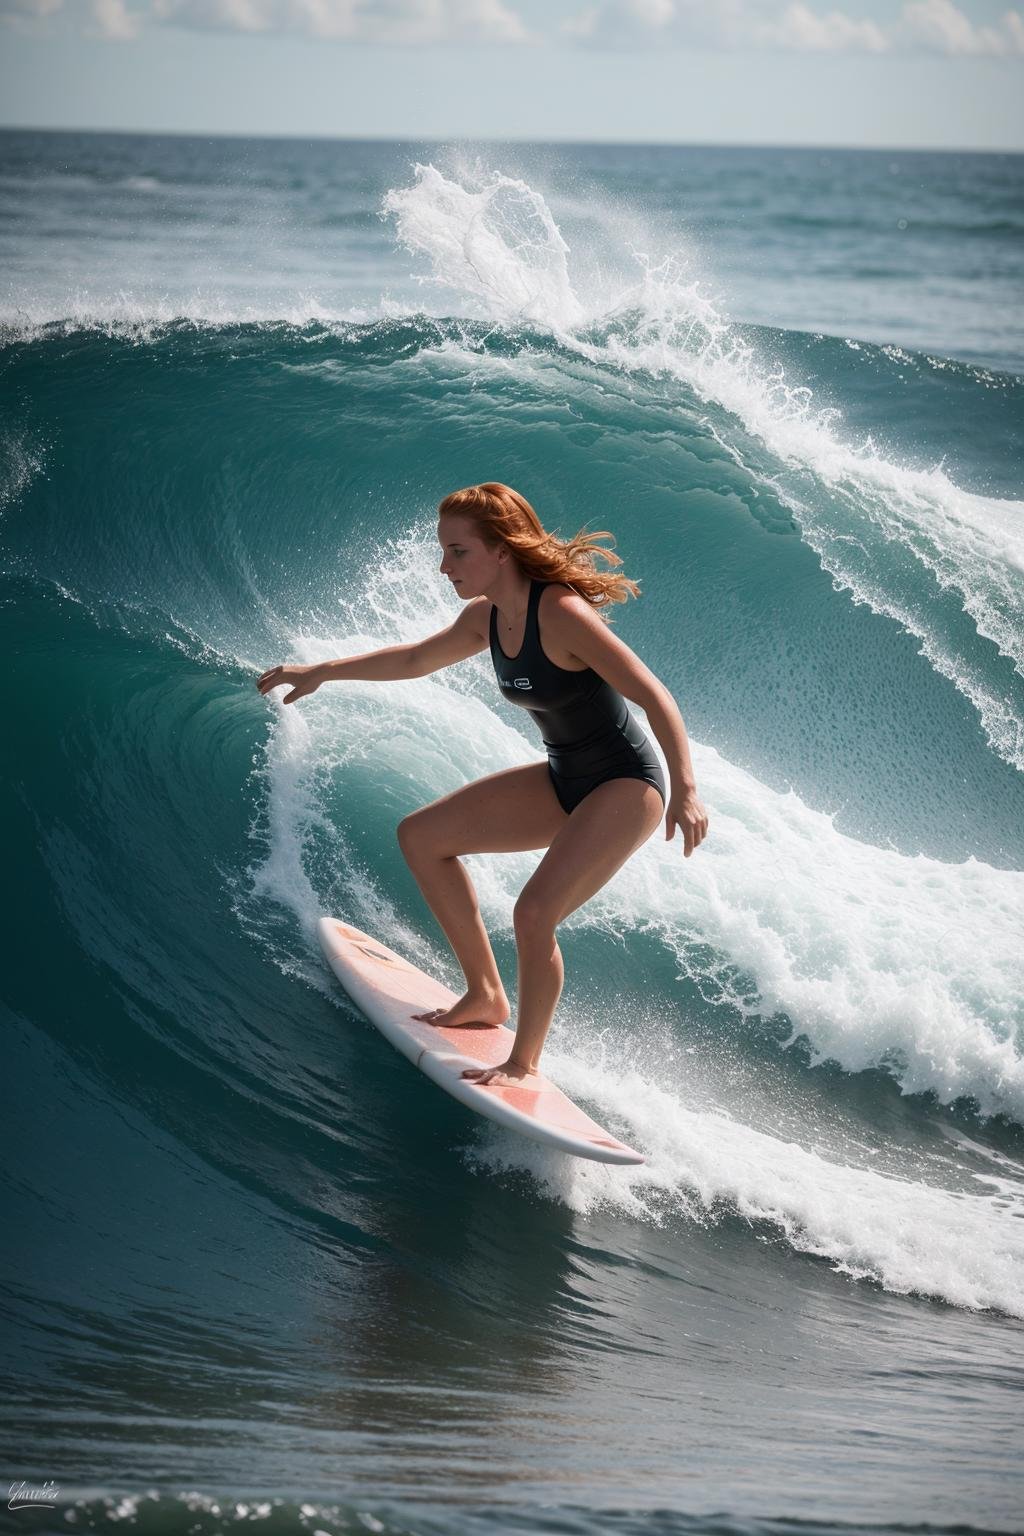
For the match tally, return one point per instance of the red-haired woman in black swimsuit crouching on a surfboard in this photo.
(538, 603)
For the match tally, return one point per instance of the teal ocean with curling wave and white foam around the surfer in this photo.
(260, 1274)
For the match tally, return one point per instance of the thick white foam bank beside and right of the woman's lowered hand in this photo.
(876, 958)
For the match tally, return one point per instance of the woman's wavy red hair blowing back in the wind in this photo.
(504, 517)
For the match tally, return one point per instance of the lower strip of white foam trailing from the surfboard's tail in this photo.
(910, 1237)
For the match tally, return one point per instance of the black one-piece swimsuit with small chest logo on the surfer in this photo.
(586, 724)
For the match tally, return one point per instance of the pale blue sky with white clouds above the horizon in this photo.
(857, 73)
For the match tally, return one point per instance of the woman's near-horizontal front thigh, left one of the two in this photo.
(504, 813)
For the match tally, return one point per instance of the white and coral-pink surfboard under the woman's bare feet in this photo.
(389, 991)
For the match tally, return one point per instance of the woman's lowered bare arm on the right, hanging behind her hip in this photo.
(580, 631)
